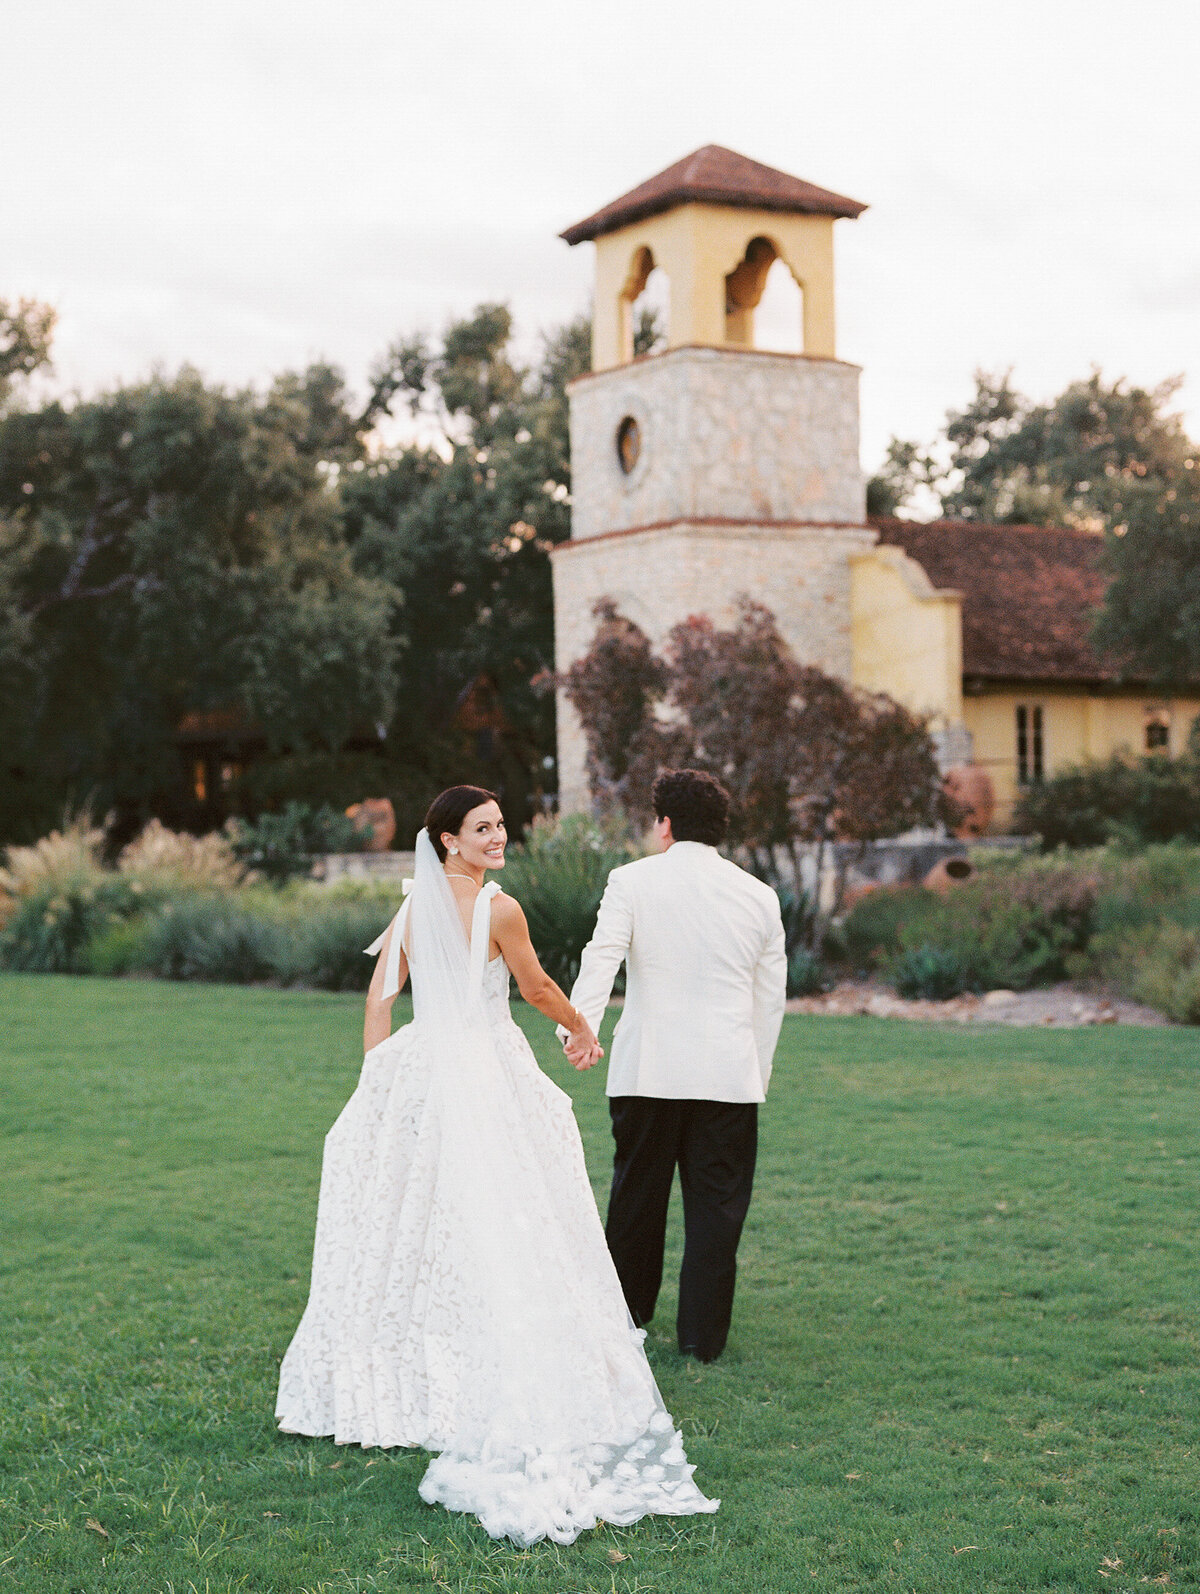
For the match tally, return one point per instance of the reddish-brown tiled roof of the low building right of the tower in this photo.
(1029, 595)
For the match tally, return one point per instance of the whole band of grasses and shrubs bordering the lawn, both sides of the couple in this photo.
(178, 908)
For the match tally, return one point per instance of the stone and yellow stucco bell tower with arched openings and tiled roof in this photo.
(712, 469)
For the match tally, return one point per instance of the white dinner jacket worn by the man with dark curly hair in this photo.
(704, 948)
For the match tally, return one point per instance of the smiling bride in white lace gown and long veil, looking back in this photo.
(463, 1297)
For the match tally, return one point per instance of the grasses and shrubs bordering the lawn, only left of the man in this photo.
(179, 908)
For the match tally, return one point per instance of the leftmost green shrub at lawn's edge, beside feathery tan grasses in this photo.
(55, 922)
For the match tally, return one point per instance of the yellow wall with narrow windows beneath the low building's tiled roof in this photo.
(1076, 728)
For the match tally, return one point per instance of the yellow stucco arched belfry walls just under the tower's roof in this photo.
(699, 246)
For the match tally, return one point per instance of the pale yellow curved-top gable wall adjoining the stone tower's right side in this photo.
(906, 635)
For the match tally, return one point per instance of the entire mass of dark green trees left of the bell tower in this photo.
(372, 614)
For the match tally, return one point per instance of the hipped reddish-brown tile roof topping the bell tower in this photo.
(715, 176)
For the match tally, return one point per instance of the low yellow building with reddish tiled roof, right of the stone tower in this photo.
(1022, 675)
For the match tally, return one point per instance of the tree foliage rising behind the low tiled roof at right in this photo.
(1105, 457)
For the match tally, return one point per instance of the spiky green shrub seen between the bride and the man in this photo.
(559, 877)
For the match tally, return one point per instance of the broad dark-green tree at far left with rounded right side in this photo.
(168, 549)
